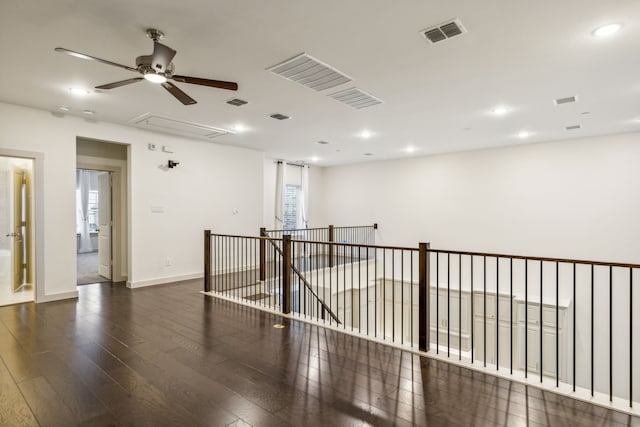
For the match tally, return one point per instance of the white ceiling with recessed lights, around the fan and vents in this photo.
(521, 54)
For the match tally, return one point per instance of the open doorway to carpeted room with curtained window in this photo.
(94, 226)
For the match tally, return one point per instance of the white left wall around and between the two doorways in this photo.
(215, 186)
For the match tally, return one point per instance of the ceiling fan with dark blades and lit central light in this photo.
(156, 68)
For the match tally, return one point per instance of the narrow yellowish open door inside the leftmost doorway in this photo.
(19, 223)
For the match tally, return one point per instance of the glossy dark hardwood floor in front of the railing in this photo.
(167, 355)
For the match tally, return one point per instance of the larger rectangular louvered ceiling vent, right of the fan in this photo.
(308, 71)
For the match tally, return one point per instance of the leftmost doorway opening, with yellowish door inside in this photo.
(17, 255)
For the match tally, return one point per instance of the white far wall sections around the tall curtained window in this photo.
(294, 177)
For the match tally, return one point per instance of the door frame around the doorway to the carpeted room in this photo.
(118, 272)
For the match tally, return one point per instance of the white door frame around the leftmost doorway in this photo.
(38, 212)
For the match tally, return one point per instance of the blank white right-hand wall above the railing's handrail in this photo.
(574, 199)
